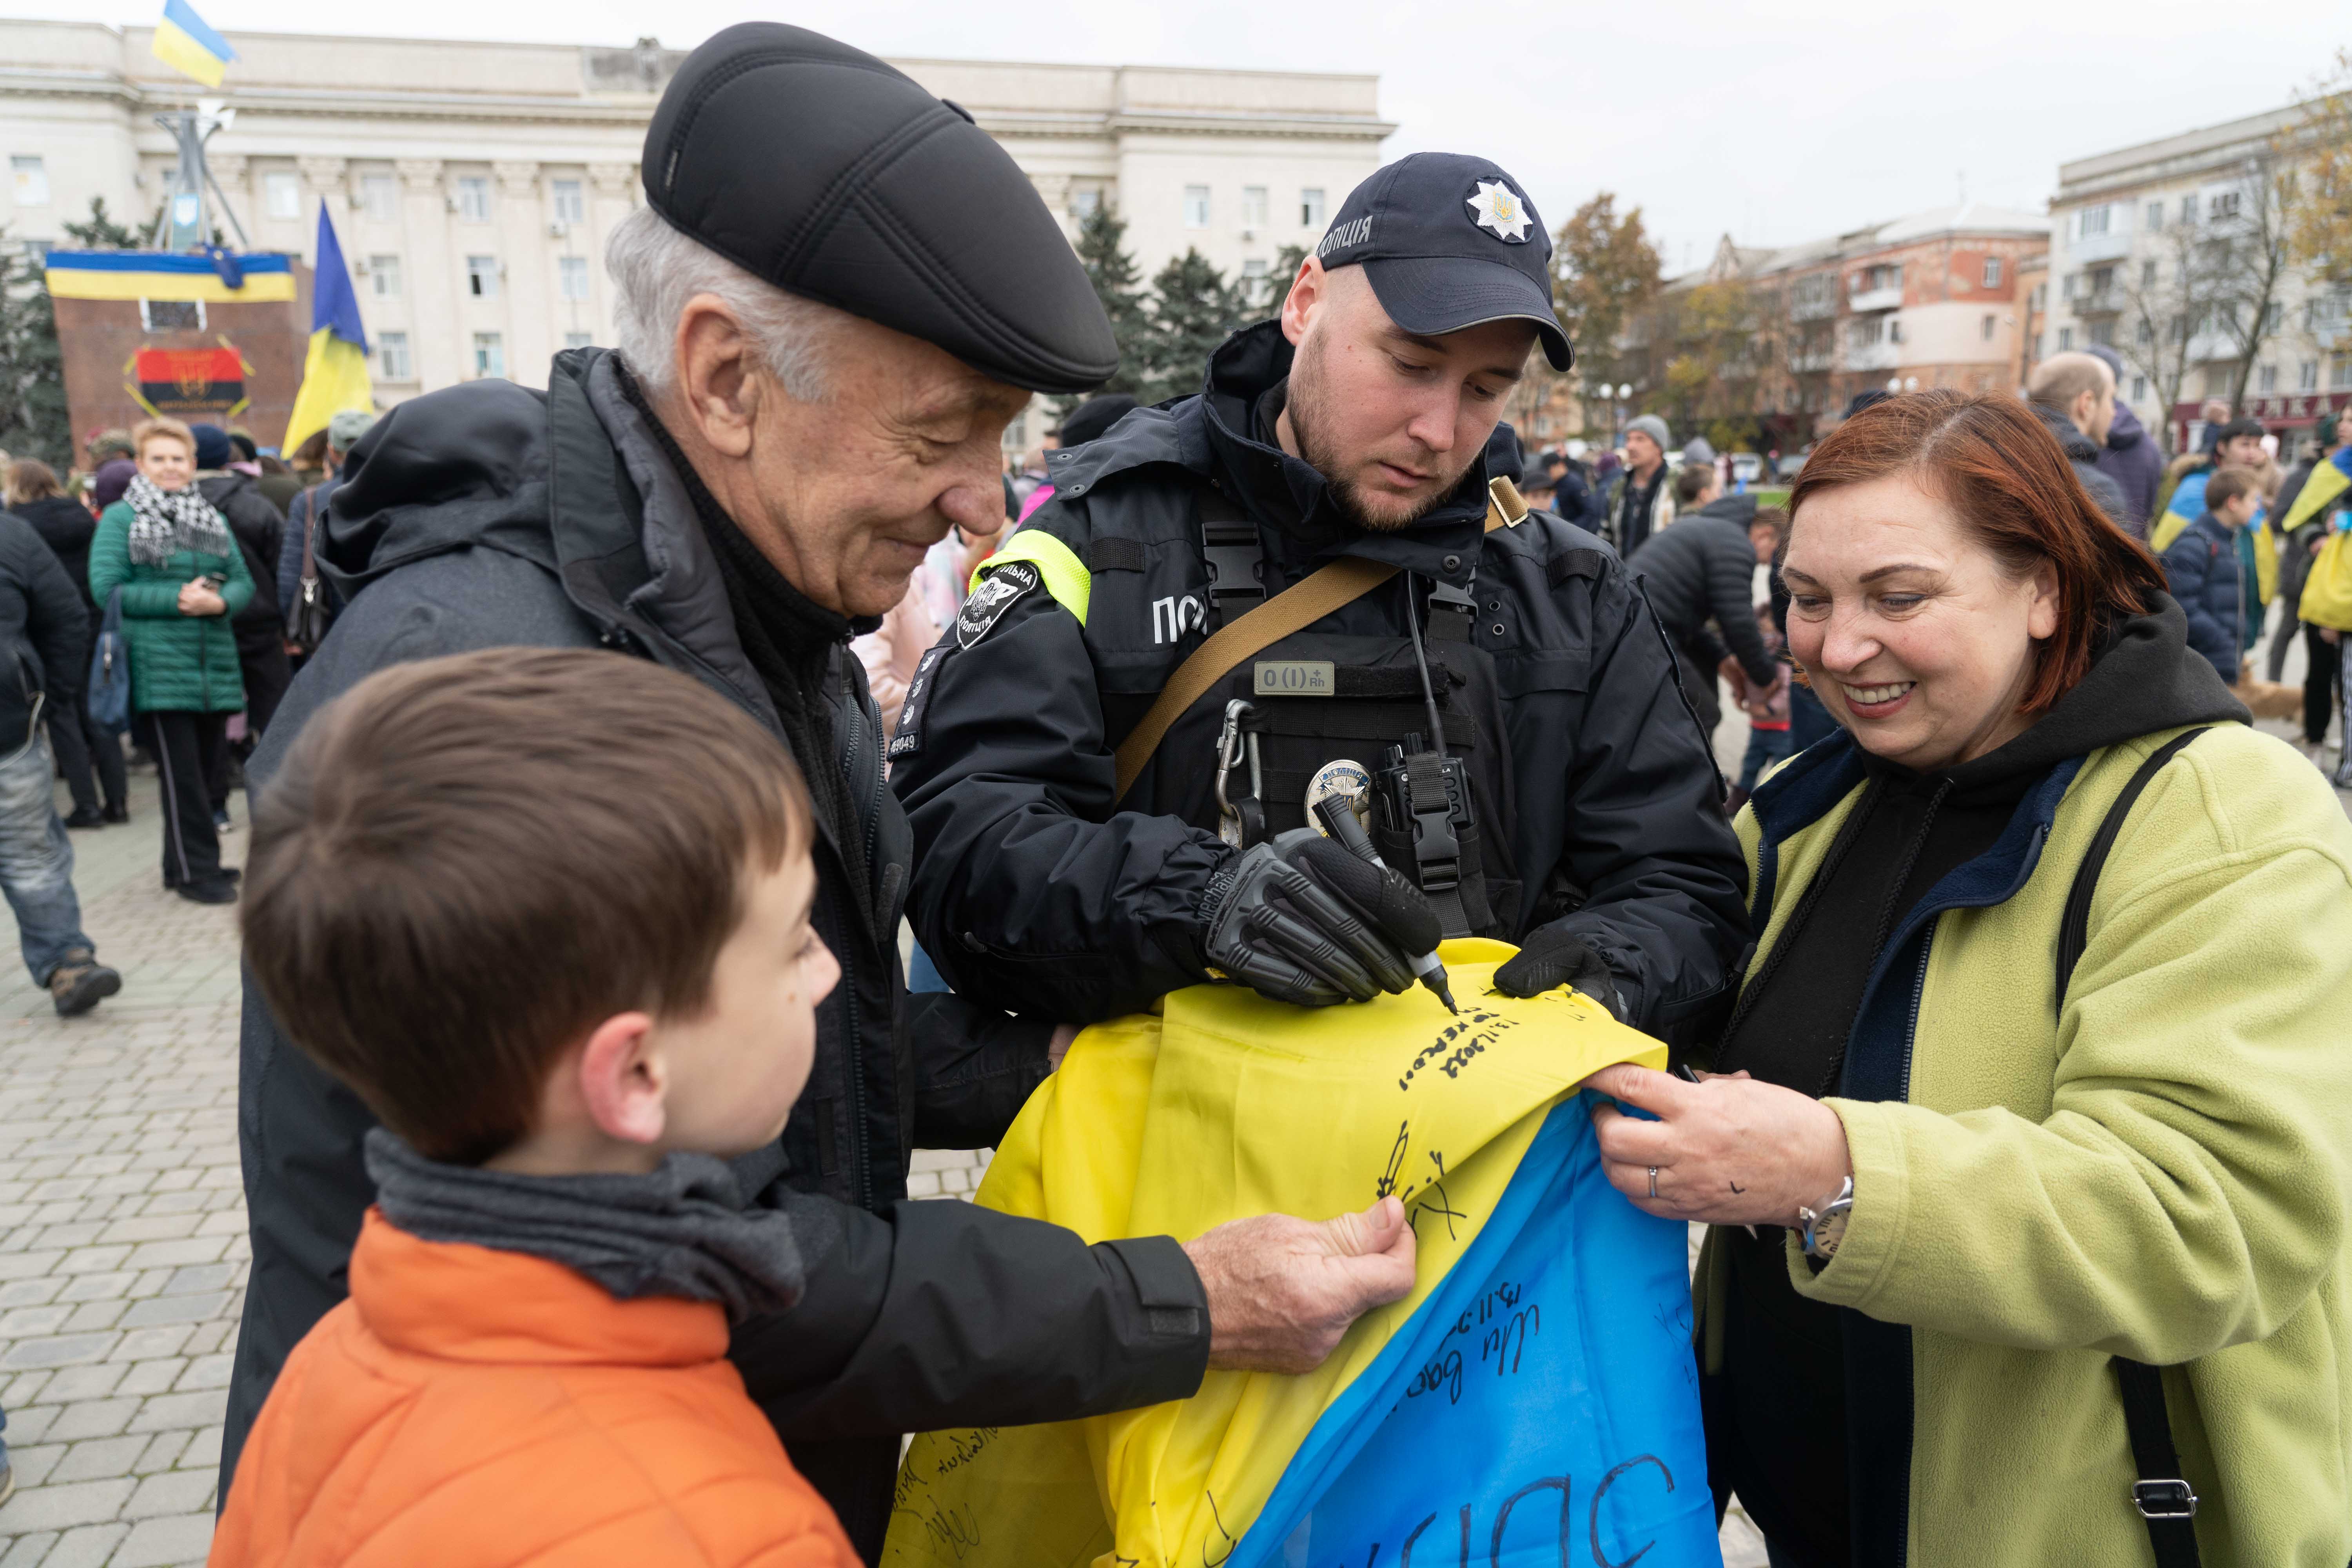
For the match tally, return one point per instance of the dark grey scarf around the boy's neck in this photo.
(681, 1231)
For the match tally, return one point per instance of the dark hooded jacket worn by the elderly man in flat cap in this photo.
(490, 516)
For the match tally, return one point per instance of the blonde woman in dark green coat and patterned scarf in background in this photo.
(182, 579)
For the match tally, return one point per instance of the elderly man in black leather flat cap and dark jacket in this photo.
(831, 304)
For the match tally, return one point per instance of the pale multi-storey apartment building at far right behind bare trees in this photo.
(2158, 253)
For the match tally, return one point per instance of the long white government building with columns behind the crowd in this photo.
(474, 185)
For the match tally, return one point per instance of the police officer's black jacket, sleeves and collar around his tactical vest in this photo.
(1031, 892)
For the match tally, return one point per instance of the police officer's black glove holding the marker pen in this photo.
(1307, 923)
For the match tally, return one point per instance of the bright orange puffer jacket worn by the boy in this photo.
(481, 1409)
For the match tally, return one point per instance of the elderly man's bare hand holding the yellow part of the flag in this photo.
(1283, 1292)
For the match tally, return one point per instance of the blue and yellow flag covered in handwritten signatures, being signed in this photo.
(1535, 1395)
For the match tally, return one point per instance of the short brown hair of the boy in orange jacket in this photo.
(467, 864)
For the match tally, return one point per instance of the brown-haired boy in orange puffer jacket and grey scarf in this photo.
(549, 916)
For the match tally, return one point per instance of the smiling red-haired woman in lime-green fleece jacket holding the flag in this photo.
(1970, 1205)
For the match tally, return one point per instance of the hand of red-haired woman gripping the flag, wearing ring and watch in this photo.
(1728, 1151)
